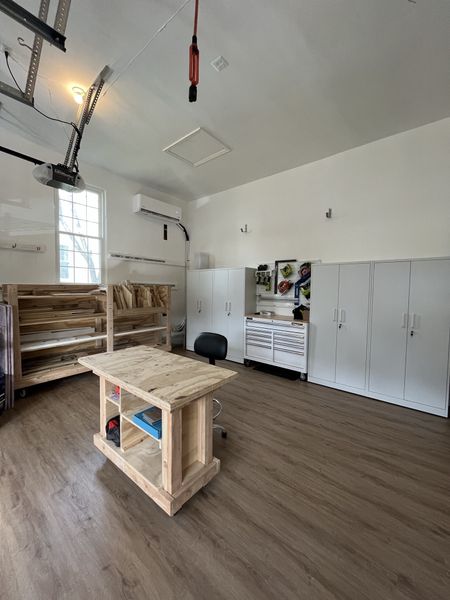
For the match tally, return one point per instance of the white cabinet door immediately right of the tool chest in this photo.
(323, 322)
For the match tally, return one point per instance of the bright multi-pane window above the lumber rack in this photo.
(80, 236)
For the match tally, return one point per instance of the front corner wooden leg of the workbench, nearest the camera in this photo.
(171, 450)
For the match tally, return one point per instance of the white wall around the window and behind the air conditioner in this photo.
(27, 214)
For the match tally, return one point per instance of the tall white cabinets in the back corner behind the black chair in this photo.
(217, 301)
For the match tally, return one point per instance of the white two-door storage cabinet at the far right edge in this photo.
(410, 342)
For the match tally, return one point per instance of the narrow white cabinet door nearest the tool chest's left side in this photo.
(236, 309)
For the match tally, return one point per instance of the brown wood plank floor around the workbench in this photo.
(322, 495)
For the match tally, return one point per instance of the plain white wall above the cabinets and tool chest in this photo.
(390, 199)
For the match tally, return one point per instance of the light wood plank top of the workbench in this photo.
(160, 378)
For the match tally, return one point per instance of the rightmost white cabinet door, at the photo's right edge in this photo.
(428, 337)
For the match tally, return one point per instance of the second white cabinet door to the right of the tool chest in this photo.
(351, 353)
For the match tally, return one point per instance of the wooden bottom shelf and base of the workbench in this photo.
(142, 464)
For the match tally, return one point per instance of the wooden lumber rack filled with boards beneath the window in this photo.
(55, 325)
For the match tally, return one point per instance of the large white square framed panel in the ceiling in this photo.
(197, 148)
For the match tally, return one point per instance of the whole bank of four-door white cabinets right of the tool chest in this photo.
(383, 330)
